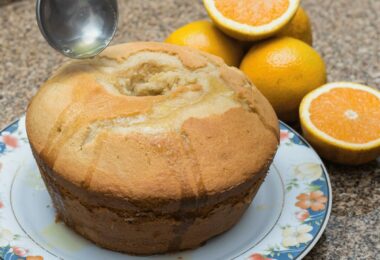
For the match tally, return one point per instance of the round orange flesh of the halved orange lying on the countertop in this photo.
(347, 114)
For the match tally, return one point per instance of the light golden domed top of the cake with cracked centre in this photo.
(115, 138)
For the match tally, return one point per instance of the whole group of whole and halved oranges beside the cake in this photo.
(271, 41)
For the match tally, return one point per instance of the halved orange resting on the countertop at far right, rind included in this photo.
(342, 122)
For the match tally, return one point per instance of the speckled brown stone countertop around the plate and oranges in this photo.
(346, 33)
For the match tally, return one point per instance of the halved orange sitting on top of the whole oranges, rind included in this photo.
(250, 20)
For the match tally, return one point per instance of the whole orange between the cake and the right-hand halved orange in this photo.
(284, 70)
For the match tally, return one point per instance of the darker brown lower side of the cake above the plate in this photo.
(145, 233)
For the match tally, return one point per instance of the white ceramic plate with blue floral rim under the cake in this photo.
(285, 220)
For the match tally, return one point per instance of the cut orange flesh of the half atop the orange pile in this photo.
(252, 12)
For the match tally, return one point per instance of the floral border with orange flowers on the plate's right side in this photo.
(312, 193)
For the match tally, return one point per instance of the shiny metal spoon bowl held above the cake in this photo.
(77, 28)
